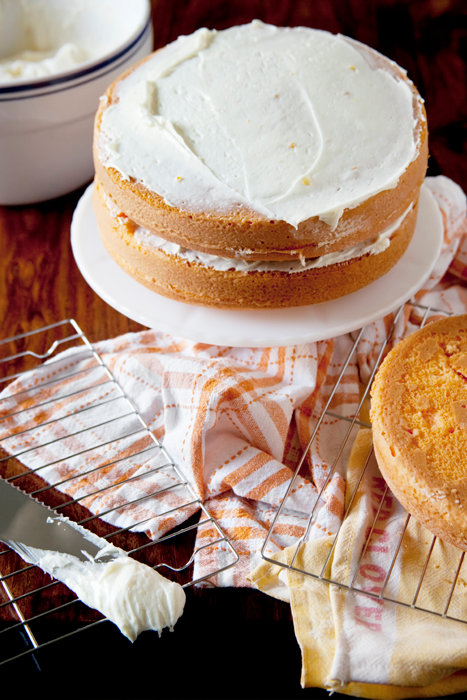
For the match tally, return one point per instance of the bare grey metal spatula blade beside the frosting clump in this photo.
(25, 523)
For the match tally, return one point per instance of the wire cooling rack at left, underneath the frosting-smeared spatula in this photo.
(28, 597)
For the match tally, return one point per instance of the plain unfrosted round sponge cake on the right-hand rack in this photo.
(419, 421)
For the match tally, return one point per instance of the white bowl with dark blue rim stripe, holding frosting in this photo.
(57, 58)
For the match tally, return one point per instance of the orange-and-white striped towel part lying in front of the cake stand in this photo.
(234, 421)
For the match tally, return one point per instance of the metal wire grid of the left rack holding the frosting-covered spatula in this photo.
(19, 612)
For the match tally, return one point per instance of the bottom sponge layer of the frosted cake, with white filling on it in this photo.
(206, 280)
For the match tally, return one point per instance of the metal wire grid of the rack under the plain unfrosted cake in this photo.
(320, 568)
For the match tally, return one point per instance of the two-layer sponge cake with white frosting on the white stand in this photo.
(259, 167)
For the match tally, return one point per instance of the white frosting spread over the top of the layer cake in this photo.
(288, 122)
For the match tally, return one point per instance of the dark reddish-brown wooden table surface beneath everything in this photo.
(229, 643)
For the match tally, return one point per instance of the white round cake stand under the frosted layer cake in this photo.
(259, 328)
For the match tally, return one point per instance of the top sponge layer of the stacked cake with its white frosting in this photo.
(263, 143)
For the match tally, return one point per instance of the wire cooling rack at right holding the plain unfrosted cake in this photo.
(387, 588)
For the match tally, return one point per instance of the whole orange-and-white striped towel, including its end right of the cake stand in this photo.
(235, 420)
